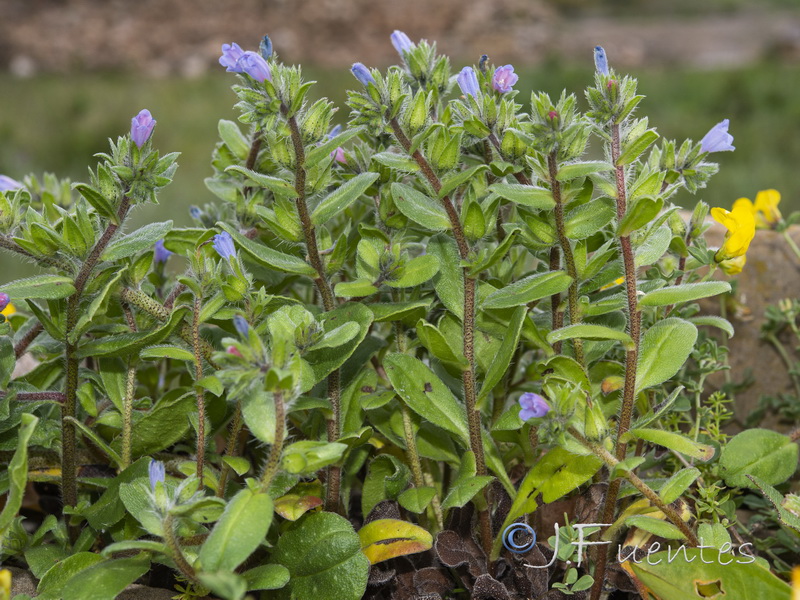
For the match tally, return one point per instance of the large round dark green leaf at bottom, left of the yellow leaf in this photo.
(323, 555)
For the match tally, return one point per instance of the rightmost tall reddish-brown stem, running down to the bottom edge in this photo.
(631, 358)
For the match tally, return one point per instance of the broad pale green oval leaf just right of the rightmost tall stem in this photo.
(665, 347)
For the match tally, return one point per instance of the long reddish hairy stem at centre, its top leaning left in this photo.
(468, 376)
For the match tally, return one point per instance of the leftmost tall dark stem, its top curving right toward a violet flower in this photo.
(69, 485)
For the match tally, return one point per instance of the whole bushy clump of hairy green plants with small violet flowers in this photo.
(391, 360)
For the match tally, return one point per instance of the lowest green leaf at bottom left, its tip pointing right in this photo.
(105, 580)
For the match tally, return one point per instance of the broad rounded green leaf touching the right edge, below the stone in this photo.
(768, 455)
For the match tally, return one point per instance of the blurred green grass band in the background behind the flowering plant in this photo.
(56, 124)
